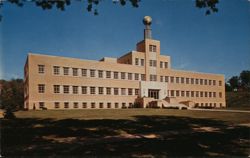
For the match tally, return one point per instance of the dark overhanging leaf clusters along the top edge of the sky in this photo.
(208, 5)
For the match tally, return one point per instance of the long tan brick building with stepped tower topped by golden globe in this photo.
(141, 78)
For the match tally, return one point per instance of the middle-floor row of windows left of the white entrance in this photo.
(89, 90)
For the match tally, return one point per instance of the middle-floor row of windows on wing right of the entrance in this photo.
(179, 93)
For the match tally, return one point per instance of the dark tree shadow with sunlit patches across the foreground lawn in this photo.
(144, 136)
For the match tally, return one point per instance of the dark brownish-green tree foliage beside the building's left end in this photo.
(12, 96)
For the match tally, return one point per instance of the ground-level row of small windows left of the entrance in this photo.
(84, 105)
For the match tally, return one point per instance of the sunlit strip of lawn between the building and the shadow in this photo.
(87, 114)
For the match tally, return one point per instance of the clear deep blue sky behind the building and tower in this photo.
(218, 43)
